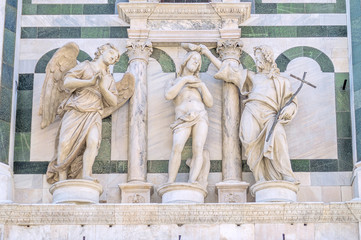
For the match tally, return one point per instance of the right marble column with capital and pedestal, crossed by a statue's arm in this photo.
(232, 189)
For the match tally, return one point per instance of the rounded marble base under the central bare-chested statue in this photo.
(182, 193)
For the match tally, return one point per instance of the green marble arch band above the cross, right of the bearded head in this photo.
(303, 51)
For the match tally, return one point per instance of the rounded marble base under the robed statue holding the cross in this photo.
(275, 191)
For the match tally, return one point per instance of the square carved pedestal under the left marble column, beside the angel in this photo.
(136, 192)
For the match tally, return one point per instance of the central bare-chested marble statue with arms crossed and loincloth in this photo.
(190, 96)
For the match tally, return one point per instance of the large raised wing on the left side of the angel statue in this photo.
(53, 93)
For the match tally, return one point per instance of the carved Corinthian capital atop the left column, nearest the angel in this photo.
(139, 49)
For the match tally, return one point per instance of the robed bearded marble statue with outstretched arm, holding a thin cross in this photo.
(266, 93)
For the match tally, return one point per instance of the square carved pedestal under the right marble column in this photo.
(232, 192)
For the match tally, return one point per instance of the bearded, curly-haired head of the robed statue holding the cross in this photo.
(264, 59)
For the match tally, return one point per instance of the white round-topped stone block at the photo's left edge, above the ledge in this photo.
(6, 184)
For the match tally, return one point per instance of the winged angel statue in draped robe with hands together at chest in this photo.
(81, 95)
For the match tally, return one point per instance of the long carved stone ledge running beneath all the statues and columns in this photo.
(156, 214)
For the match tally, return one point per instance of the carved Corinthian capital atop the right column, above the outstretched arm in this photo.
(229, 49)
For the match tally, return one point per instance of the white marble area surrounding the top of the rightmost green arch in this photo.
(279, 45)
